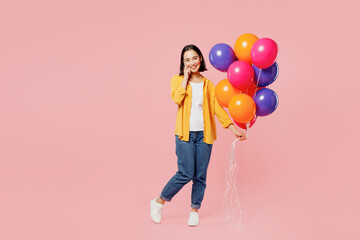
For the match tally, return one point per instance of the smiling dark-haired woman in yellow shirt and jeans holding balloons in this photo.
(195, 131)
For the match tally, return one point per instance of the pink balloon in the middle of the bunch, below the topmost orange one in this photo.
(240, 74)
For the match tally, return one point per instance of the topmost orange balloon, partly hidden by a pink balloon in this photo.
(243, 46)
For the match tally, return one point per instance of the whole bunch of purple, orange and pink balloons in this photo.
(251, 66)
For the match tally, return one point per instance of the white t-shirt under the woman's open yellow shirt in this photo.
(196, 114)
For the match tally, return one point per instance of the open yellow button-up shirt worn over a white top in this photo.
(211, 107)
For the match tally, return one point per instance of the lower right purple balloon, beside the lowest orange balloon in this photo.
(266, 101)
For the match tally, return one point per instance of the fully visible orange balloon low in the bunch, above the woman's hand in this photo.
(242, 108)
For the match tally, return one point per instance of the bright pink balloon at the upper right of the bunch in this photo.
(264, 53)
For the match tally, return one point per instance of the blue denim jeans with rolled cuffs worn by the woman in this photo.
(193, 161)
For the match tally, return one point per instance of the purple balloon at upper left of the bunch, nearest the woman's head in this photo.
(221, 56)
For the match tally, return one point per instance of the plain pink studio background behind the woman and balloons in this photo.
(87, 122)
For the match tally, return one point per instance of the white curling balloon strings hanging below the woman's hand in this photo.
(234, 213)
